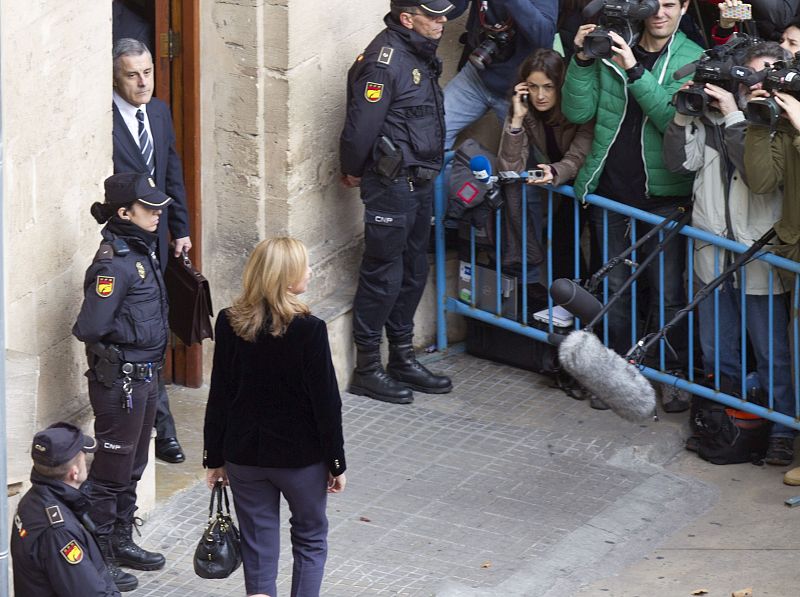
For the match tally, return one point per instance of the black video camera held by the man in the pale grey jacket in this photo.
(719, 65)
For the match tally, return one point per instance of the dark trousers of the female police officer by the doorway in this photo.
(123, 438)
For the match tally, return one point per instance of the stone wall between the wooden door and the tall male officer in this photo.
(274, 89)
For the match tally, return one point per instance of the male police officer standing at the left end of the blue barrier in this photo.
(392, 147)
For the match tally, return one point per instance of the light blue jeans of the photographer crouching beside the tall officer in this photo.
(466, 99)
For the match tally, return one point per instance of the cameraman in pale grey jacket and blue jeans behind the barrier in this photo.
(711, 144)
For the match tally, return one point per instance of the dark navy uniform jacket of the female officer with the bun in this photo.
(125, 301)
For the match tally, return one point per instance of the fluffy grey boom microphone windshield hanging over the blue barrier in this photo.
(608, 376)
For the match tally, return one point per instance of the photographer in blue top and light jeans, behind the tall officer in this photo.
(500, 34)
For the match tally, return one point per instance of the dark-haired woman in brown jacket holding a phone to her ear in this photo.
(537, 137)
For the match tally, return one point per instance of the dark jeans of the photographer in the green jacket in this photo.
(622, 331)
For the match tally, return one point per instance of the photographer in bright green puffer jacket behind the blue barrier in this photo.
(629, 96)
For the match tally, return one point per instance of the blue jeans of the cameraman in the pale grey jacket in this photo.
(758, 331)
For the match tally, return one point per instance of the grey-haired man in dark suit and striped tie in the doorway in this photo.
(144, 141)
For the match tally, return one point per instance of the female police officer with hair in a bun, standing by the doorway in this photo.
(123, 322)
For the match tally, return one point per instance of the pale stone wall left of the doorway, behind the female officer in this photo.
(56, 83)
